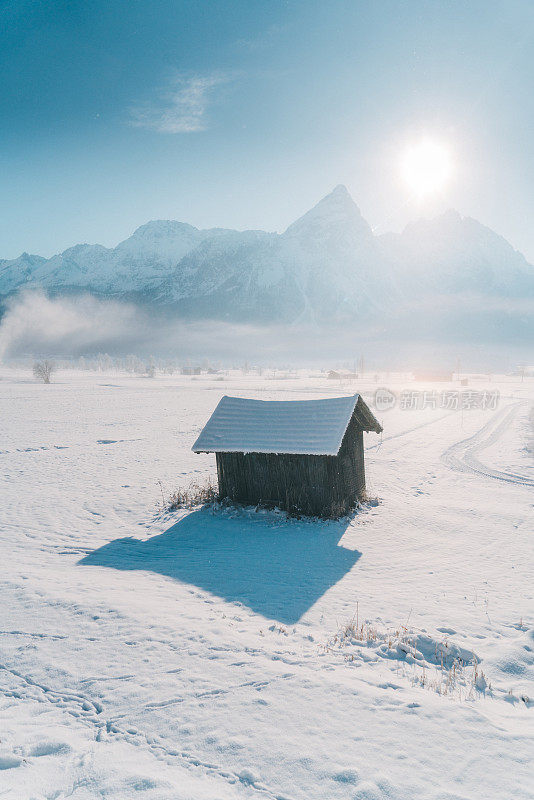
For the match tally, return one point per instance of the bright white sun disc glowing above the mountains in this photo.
(426, 168)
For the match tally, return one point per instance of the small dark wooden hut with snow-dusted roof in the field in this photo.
(305, 456)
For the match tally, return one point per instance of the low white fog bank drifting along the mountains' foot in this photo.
(35, 325)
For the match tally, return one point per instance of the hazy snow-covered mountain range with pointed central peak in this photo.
(328, 266)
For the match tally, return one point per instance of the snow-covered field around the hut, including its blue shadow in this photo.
(221, 653)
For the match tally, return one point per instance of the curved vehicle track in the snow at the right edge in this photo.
(462, 456)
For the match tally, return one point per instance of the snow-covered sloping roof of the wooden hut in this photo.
(303, 427)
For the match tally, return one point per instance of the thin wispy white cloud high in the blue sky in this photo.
(181, 107)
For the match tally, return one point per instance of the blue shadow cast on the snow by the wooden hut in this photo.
(277, 568)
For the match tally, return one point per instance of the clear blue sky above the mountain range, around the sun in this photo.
(244, 114)
